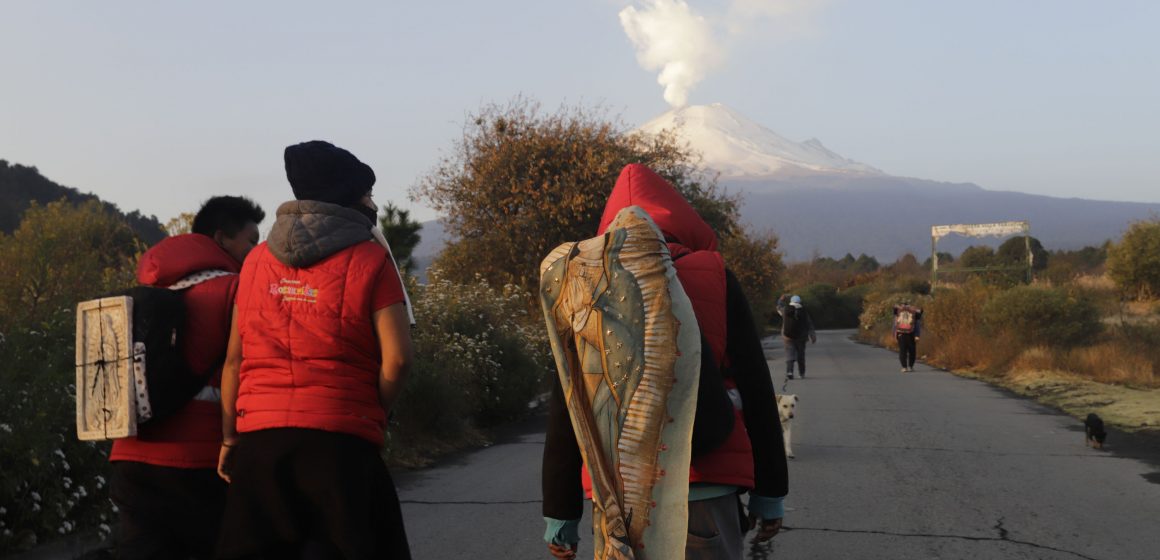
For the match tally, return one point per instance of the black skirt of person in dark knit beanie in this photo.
(299, 493)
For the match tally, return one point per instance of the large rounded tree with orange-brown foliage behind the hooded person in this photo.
(521, 181)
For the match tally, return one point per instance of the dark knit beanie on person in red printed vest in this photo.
(320, 171)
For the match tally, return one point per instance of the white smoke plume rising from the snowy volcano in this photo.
(680, 43)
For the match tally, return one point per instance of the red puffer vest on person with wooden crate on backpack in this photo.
(192, 438)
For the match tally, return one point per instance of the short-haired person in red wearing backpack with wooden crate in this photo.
(169, 498)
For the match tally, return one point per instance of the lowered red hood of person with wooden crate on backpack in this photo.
(176, 258)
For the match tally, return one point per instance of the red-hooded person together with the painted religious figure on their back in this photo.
(665, 411)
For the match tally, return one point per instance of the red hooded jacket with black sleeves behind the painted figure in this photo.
(727, 328)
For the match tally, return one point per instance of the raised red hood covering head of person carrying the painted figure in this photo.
(640, 186)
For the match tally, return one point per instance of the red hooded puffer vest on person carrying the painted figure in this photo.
(701, 271)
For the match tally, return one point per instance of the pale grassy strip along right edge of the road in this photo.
(1126, 409)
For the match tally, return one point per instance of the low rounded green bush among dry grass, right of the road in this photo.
(1042, 317)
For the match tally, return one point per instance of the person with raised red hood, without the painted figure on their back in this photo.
(737, 438)
